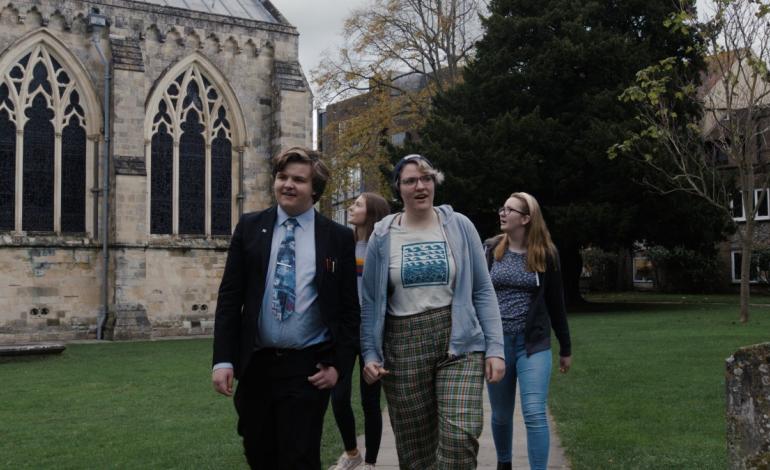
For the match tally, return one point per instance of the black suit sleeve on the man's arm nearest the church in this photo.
(227, 320)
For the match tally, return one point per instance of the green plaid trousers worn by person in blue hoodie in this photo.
(434, 400)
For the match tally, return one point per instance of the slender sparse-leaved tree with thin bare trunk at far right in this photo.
(716, 153)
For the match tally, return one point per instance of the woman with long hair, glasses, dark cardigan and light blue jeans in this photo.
(524, 266)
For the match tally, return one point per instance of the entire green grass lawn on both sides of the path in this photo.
(646, 391)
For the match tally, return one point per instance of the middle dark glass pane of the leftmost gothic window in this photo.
(38, 169)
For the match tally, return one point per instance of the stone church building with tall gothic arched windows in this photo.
(191, 99)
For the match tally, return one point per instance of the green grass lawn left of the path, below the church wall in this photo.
(124, 405)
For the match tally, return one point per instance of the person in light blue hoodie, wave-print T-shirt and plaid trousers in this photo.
(430, 325)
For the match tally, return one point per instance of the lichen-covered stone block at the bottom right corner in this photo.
(748, 407)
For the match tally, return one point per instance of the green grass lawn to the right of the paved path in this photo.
(647, 388)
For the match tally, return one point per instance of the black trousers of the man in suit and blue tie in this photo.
(280, 413)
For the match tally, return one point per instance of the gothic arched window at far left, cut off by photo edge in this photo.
(42, 147)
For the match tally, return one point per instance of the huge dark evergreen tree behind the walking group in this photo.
(536, 112)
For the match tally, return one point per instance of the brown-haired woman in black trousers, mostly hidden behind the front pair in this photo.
(368, 209)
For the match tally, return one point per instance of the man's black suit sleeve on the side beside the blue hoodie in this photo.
(349, 309)
